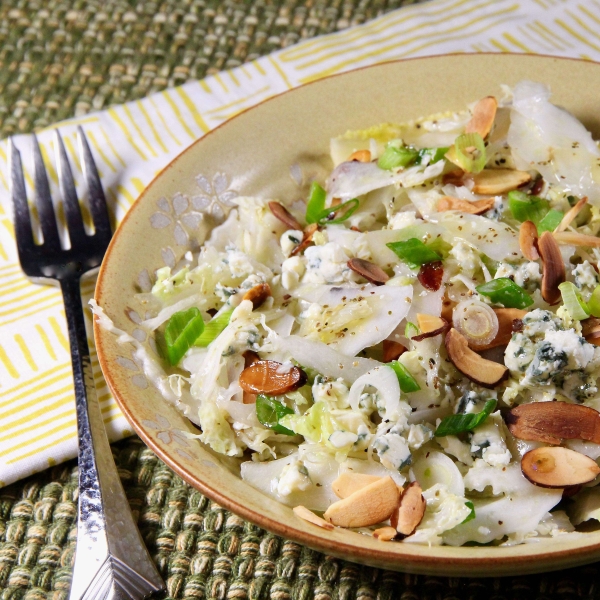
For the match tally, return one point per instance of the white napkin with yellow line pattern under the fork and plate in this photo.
(134, 141)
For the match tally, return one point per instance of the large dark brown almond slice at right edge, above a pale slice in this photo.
(552, 422)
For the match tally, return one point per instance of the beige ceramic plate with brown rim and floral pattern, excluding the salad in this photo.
(252, 155)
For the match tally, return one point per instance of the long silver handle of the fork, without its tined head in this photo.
(111, 560)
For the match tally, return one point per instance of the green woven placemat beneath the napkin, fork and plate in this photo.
(60, 59)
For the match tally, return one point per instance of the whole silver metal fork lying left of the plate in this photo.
(111, 560)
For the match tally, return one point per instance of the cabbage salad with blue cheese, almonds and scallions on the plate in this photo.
(413, 351)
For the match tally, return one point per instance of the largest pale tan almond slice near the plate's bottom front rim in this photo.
(368, 506)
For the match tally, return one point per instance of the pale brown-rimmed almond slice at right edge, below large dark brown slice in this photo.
(558, 467)
